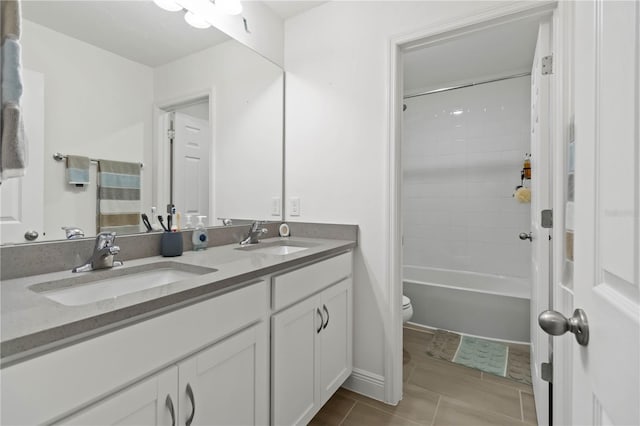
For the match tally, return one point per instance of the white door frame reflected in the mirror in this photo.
(161, 159)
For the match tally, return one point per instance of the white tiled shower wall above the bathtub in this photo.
(459, 175)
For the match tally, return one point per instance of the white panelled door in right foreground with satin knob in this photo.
(606, 373)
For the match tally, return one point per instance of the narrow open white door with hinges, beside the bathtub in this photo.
(540, 200)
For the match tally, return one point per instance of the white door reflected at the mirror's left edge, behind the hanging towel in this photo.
(21, 199)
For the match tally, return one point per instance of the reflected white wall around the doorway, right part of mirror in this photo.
(247, 124)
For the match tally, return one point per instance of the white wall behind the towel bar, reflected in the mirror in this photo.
(97, 104)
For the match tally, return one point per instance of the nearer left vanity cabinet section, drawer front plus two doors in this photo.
(217, 348)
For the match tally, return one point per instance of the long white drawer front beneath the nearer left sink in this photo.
(67, 379)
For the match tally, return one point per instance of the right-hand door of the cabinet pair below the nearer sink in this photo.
(227, 384)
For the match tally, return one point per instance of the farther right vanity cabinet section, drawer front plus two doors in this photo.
(311, 338)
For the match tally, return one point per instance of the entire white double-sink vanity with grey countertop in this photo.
(260, 334)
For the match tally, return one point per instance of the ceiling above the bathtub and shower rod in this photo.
(498, 51)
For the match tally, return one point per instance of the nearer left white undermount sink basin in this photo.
(89, 287)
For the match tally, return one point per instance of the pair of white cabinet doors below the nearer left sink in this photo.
(225, 384)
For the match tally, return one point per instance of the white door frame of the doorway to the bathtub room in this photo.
(460, 26)
